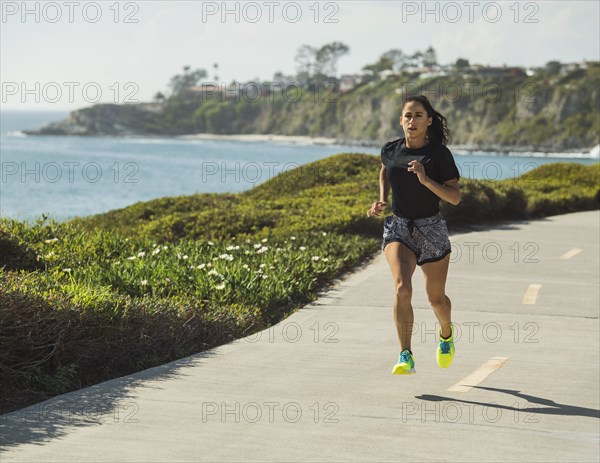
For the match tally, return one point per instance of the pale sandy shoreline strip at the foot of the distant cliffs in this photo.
(466, 149)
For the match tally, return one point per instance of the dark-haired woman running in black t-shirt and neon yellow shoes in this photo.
(420, 170)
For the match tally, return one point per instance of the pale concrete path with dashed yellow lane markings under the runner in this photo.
(524, 385)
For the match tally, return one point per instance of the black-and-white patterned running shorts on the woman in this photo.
(427, 238)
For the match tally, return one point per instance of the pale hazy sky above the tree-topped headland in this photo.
(69, 55)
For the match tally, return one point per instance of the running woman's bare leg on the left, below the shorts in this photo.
(402, 262)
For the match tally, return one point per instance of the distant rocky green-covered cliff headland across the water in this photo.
(547, 113)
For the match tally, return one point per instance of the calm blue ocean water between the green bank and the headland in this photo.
(65, 177)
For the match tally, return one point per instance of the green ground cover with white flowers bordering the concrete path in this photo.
(106, 295)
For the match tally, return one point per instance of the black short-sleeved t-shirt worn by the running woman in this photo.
(410, 198)
